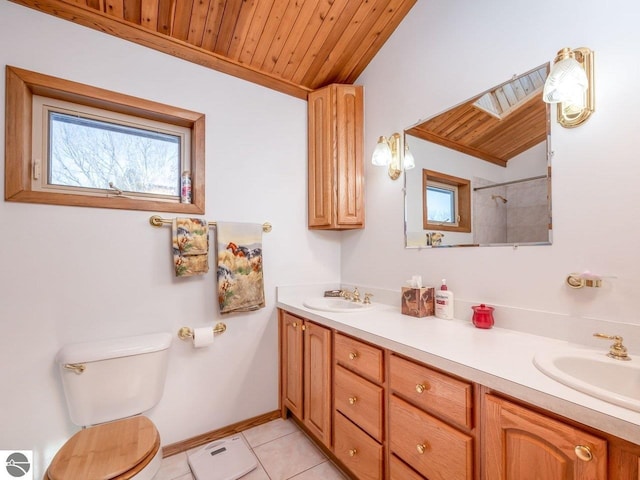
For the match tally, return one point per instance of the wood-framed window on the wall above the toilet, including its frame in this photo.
(73, 144)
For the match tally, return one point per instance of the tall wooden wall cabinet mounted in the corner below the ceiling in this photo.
(336, 165)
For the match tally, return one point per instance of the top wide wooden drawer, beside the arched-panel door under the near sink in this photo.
(432, 390)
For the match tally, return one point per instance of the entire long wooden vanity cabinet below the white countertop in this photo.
(383, 415)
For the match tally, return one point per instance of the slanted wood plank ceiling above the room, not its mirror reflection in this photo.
(292, 46)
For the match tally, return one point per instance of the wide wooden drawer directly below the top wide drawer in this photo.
(430, 446)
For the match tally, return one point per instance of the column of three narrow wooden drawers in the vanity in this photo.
(359, 407)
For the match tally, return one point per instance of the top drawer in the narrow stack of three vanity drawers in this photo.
(359, 357)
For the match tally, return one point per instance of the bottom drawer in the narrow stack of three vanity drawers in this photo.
(356, 450)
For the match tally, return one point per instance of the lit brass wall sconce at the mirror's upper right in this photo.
(570, 85)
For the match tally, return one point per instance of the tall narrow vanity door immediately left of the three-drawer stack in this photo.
(317, 381)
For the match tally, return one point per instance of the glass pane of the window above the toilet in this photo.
(90, 153)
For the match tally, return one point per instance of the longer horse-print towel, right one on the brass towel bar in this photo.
(240, 281)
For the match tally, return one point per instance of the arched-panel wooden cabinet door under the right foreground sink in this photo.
(520, 444)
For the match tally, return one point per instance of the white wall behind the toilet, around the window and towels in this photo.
(74, 274)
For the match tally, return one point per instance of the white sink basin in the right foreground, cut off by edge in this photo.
(593, 373)
